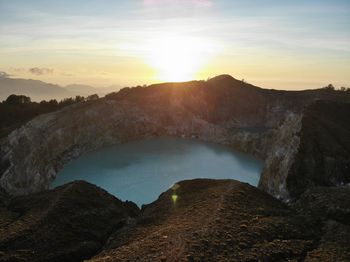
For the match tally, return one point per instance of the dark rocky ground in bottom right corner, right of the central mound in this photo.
(330, 208)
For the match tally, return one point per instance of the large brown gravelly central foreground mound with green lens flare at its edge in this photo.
(212, 220)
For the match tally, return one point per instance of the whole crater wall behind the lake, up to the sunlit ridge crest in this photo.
(222, 110)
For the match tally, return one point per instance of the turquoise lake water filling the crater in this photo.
(140, 170)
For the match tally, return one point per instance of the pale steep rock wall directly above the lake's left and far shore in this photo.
(32, 155)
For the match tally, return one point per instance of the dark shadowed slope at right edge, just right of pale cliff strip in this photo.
(323, 157)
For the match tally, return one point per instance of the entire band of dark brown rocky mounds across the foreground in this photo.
(196, 220)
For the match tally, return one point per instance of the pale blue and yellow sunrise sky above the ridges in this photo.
(278, 44)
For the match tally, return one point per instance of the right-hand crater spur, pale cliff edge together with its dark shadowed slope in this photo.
(308, 150)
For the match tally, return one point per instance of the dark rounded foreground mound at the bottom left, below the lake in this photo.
(69, 223)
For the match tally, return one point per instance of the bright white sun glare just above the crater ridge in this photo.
(177, 58)
